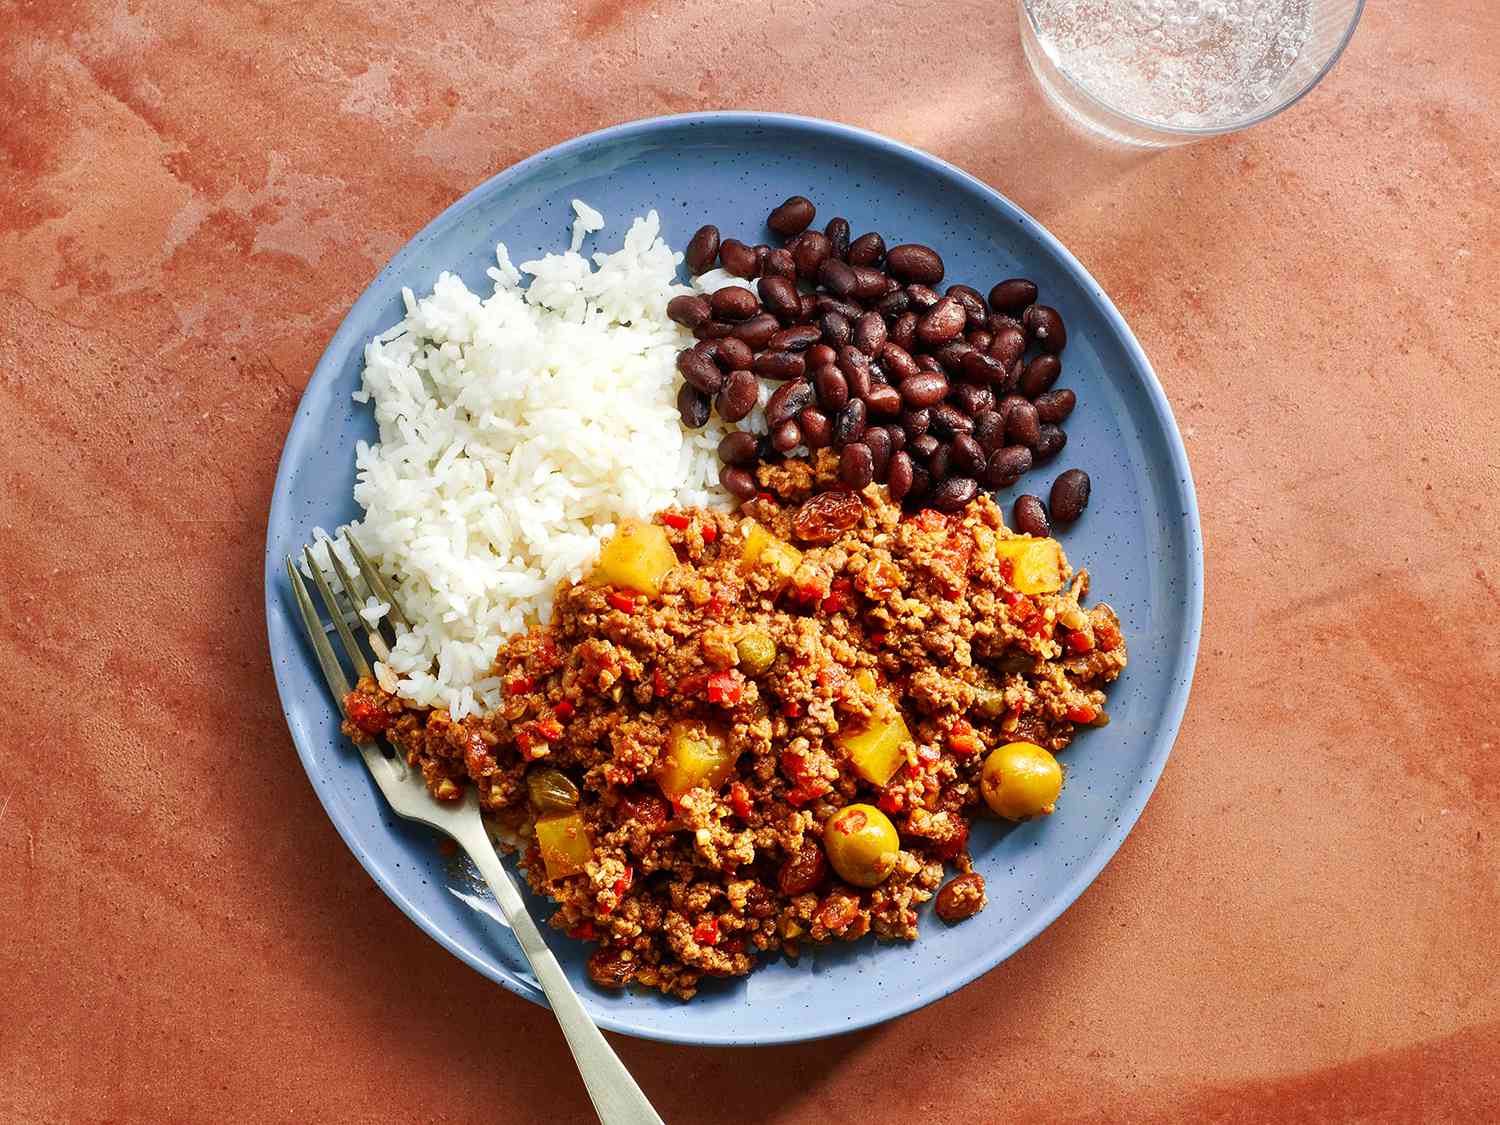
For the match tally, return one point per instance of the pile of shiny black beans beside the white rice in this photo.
(934, 394)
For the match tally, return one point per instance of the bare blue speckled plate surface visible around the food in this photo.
(1141, 541)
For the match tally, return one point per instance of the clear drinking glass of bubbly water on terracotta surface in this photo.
(1165, 73)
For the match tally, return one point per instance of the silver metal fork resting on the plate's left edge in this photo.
(616, 1096)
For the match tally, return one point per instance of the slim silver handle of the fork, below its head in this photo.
(616, 1096)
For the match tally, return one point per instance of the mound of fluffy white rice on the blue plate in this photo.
(515, 433)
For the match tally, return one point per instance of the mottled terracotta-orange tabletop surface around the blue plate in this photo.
(1303, 928)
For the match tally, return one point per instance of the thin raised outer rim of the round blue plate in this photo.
(337, 352)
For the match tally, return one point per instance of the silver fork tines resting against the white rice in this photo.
(340, 614)
